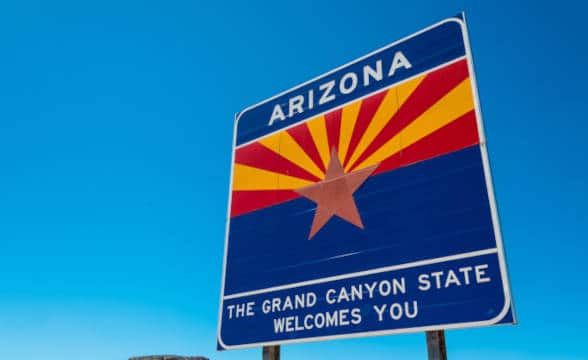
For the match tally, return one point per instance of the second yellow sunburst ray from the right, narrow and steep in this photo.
(395, 97)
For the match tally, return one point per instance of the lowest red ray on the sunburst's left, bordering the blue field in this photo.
(243, 202)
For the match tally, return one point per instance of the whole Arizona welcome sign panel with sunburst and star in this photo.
(361, 203)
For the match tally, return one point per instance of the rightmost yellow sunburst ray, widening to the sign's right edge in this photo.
(453, 105)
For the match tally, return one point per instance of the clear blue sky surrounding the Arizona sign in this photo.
(116, 122)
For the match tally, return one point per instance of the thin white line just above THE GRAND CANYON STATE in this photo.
(365, 272)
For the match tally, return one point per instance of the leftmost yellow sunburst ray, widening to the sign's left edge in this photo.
(250, 178)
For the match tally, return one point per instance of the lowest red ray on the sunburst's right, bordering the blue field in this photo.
(457, 135)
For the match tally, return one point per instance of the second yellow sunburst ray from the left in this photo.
(284, 145)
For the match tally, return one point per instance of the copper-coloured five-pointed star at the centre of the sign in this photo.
(334, 194)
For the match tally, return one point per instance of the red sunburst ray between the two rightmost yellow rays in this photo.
(429, 91)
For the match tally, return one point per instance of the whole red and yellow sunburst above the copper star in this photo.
(422, 118)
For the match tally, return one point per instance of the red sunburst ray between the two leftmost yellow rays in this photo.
(257, 155)
